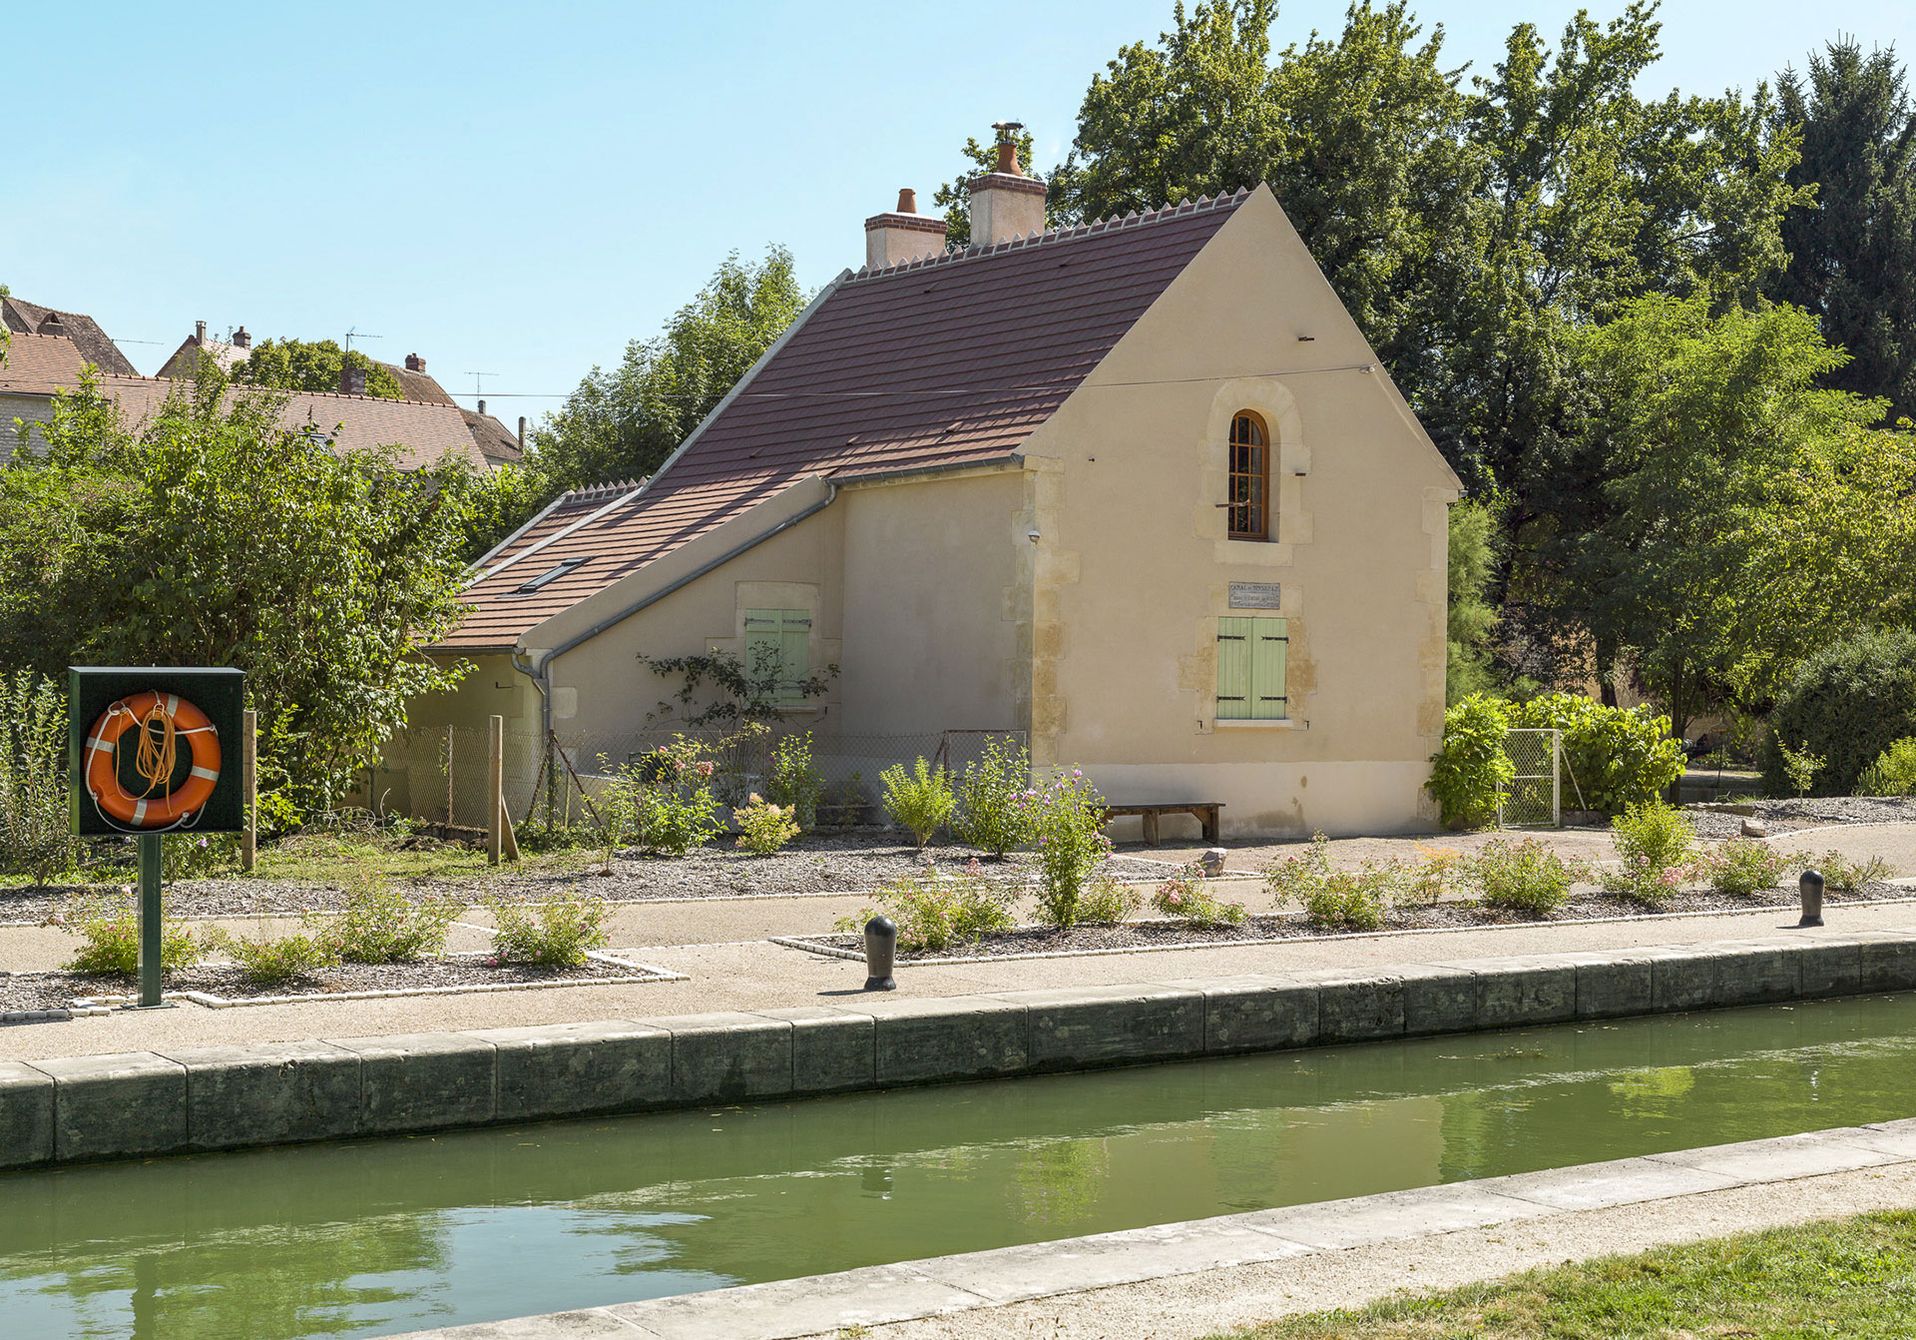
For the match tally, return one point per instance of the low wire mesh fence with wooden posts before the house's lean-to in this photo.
(444, 775)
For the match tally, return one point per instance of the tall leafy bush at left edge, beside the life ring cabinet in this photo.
(35, 827)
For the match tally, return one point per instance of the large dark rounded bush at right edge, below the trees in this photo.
(1848, 703)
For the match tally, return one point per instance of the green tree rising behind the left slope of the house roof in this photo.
(626, 423)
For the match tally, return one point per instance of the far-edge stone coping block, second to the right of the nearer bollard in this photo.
(1070, 1028)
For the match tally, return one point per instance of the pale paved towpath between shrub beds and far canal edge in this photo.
(756, 975)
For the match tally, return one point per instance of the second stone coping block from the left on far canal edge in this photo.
(112, 1107)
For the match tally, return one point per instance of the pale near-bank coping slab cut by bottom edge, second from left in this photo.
(871, 1297)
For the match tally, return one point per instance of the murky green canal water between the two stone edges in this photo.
(390, 1236)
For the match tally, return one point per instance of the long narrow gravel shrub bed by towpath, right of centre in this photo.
(1260, 929)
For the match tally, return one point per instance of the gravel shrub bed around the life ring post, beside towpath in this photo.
(455, 973)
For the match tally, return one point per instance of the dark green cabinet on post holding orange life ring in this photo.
(154, 751)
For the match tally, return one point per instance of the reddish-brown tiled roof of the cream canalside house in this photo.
(940, 363)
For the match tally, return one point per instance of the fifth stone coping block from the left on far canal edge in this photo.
(580, 1069)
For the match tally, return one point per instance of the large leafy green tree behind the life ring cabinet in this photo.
(217, 538)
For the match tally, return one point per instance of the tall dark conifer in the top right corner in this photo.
(1854, 254)
